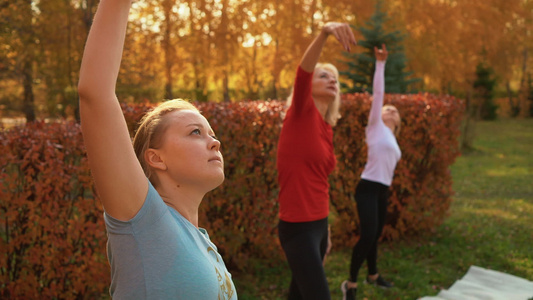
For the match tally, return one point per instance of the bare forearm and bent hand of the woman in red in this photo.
(342, 32)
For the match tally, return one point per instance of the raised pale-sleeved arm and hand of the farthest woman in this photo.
(378, 85)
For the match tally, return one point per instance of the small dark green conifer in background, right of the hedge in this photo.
(484, 86)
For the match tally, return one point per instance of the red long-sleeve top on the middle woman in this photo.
(305, 157)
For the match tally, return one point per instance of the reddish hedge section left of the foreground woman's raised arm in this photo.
(52, 241)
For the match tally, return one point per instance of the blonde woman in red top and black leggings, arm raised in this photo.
(305, 159)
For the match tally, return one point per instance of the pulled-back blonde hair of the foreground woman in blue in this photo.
(152, 128)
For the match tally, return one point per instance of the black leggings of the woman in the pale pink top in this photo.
(371, 198)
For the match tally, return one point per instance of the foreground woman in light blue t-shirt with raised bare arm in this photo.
(150, 194)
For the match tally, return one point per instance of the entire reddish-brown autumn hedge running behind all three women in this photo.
(53, 236)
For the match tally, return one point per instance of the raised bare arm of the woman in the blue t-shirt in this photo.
(119, 178)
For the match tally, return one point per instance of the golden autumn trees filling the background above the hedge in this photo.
(232, 50)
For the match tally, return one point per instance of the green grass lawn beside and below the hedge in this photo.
(490, 225)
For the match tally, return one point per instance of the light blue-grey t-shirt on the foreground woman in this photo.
(161, 255)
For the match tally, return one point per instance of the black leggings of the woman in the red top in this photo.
(305, 245)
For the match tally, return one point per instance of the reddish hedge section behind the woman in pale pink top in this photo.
(422, 185)
